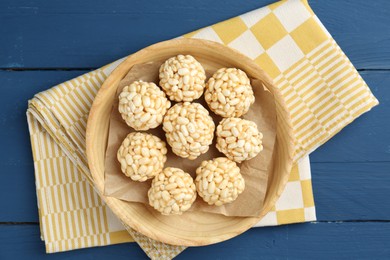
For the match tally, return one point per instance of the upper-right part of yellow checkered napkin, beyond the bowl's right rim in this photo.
(322, 88)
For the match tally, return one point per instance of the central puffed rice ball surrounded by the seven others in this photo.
(189, 129)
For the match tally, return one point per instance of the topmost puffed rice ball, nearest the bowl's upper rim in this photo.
(182, 78)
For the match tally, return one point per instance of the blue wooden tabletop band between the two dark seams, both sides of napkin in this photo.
(365, 140)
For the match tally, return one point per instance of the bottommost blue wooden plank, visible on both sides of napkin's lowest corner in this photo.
(301, 241)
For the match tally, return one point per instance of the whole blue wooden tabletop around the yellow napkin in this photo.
(46, 43)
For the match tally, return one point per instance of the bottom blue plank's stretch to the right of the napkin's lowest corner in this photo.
(303, 241)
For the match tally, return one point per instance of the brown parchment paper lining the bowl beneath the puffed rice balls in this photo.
(254, 171)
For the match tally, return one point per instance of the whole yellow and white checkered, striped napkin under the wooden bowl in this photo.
(321, 87)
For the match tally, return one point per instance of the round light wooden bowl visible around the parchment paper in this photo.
(193, 228)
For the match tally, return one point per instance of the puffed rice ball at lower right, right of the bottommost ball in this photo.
(219, 181)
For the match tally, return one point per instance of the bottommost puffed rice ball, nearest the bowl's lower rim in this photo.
(172, 192)
